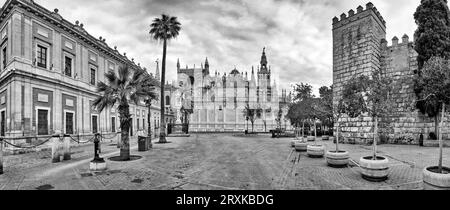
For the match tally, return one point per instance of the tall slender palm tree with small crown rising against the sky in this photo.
(164, 29)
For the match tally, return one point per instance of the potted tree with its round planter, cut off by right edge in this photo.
(434, 79)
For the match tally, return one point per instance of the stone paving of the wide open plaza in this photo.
(216, 162)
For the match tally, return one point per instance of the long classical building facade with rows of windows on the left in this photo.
(49, 72)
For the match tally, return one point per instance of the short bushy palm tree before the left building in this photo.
(120, 89)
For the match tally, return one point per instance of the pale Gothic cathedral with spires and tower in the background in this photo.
(218, 101)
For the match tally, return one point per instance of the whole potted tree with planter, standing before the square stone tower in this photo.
(363, 96)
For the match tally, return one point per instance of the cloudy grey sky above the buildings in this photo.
(296, 33)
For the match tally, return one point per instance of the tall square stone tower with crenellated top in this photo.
(357, 38)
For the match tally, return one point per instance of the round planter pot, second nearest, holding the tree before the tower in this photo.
(374, 170)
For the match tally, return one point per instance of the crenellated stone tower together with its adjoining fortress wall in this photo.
(359, 47)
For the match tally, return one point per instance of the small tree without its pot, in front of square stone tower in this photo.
(371, 95)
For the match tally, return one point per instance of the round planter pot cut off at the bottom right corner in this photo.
(432, 180)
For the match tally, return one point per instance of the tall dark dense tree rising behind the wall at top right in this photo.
(432, 36)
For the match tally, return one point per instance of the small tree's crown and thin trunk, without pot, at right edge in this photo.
(435, 81)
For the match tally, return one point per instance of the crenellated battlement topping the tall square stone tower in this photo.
(370, 10)
